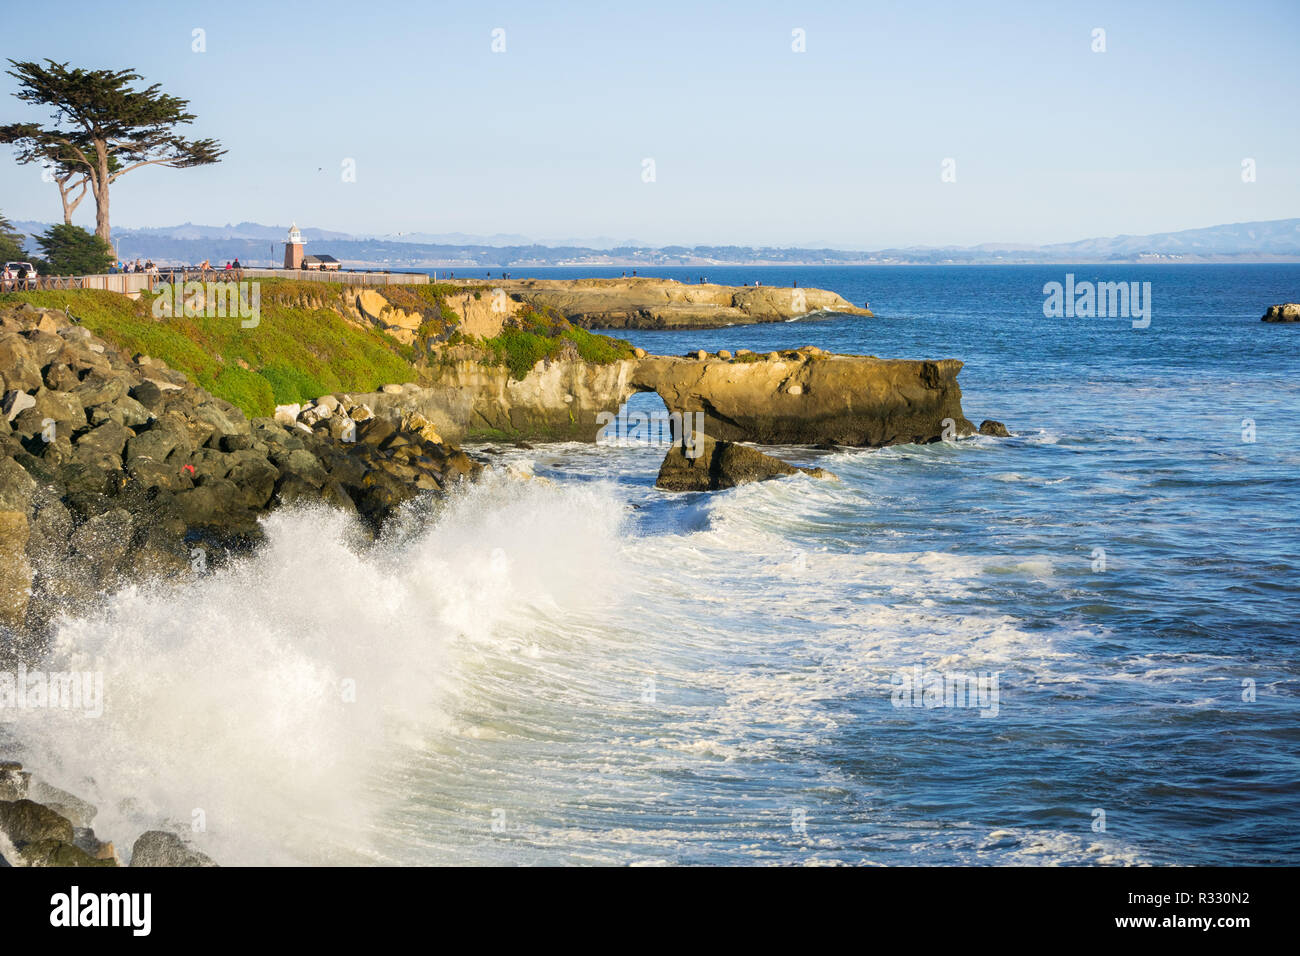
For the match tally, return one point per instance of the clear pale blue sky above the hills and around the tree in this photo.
(699, 123)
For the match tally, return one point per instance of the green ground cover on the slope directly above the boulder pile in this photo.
(296, 352)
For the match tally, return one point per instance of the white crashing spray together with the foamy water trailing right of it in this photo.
(522, 659)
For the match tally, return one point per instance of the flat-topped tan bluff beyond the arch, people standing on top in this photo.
(666, 304)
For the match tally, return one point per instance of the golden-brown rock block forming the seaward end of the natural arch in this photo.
(811, 397)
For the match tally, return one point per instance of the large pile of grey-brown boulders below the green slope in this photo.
(114, 468)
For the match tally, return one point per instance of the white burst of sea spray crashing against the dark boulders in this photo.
(255, 704)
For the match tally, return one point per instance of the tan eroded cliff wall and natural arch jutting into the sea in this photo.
(803, 397)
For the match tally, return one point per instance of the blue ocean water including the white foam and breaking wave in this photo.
(564, 665)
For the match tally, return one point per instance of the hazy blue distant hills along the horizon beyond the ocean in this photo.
(255, 244)
